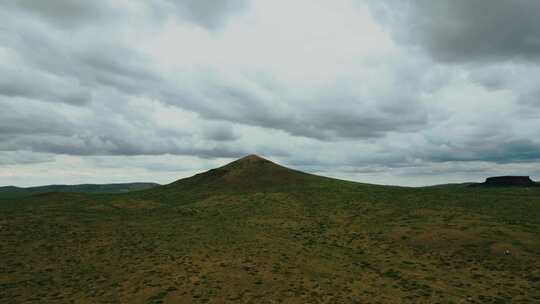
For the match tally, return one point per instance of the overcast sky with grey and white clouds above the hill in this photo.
(379, 91)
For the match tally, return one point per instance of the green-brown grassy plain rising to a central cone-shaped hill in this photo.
(256, 232)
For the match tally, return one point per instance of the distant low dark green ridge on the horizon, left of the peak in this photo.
(13, 192)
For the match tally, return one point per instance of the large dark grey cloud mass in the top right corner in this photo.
(468, 30)
